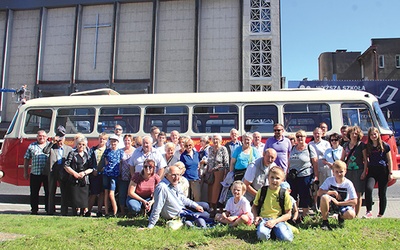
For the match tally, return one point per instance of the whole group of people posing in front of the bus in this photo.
(241, 182)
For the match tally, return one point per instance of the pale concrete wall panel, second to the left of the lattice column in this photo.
(174, 63)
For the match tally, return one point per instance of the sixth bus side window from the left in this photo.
(260, 118)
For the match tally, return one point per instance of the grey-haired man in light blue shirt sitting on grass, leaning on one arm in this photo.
(170, 202)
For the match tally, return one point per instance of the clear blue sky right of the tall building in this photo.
(311, 27)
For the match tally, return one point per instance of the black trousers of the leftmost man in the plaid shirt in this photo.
(36, 182)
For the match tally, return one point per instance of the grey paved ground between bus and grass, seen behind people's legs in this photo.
(15, 200)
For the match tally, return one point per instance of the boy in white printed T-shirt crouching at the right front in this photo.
(337, 195)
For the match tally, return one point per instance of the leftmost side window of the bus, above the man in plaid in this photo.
(37, 119)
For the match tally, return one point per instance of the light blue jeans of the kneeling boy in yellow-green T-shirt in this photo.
(281, 230)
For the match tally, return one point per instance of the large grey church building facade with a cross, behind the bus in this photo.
(138, 46)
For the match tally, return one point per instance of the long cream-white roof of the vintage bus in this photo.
(293, 95)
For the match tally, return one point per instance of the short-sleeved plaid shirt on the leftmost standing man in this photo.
(39, 159)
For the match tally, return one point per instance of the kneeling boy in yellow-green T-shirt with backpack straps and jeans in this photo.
(272, 208)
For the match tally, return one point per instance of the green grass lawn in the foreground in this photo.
(55, 232)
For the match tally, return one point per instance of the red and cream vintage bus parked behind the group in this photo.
(192, 114)
